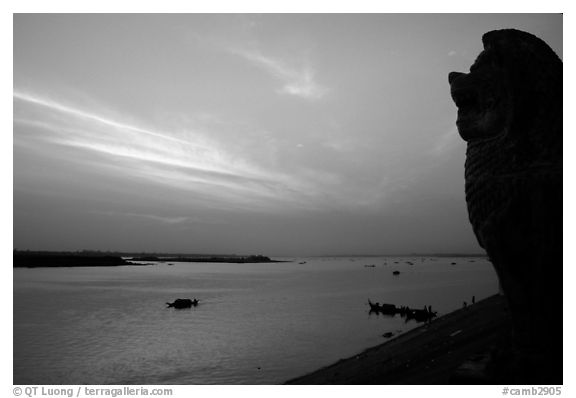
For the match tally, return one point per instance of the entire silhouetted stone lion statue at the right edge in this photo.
(510, 114)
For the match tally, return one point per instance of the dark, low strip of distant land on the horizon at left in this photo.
(67, 260)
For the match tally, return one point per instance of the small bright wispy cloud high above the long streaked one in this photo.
(296, 81)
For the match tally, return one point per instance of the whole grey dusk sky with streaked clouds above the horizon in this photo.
(275, 134)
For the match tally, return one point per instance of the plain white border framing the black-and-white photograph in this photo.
(253, 6)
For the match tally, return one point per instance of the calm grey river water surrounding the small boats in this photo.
(256, 323)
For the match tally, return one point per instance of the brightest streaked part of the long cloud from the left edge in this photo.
(186, 160)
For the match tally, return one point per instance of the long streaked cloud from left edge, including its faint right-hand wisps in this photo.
(190, 161)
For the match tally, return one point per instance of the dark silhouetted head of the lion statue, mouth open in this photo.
(516, 79)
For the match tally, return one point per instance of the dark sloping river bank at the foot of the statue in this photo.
(453, 349)
